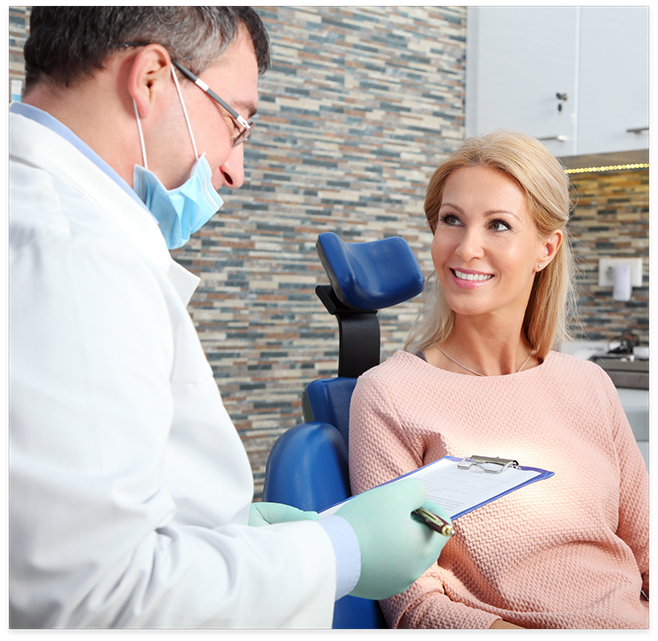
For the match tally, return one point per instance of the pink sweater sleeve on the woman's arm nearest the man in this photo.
(380, 450)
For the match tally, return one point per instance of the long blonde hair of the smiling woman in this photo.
(546, 187)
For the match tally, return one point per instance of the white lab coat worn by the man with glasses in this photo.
(129, 486)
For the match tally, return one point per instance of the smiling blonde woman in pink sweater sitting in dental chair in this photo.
(480, 375)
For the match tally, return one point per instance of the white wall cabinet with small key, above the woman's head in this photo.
(597, 58)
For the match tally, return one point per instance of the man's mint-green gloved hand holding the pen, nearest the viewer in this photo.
(395, 548)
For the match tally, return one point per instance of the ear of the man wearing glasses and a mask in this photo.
(149, 75)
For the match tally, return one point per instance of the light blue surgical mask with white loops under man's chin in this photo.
(181, 211)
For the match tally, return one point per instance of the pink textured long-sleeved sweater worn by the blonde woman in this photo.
(571, 551)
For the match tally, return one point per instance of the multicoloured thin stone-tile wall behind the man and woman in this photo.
(360, 106)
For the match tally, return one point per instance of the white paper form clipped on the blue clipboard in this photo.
(460, 491)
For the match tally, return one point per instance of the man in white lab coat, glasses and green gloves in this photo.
(130, 491)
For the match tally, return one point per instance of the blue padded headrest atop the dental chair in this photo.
(372, 275)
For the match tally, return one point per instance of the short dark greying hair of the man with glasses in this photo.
(68, 43)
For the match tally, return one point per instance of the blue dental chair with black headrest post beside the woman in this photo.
(308, 465)
